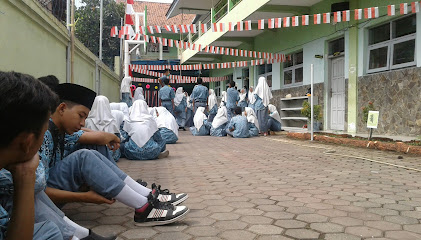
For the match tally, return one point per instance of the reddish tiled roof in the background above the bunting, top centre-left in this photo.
(157, 12)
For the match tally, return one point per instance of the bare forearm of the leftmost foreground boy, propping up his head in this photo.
(21, 225)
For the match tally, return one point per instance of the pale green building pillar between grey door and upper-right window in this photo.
(353, 73)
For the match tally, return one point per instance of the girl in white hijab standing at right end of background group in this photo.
(263, 96)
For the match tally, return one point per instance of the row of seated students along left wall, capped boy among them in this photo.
(55, 150)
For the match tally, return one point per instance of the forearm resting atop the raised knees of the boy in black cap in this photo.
(100, 138)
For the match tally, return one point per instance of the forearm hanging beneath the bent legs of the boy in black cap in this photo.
(61, 196)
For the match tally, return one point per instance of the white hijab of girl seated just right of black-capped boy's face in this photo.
(100, 117)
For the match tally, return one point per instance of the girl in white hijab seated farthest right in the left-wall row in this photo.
(167, 125)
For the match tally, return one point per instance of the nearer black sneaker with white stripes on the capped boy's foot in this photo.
(156, 213)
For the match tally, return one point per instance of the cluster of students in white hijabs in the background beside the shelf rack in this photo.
(240, 114)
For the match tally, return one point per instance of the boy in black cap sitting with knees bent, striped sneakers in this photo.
(88, 168)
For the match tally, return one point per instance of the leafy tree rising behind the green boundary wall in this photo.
(87, 27)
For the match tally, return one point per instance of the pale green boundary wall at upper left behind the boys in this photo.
(34, 42)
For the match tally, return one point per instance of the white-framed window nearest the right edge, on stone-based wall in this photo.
(392, 45)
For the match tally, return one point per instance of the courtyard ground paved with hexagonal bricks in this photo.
(273, 188)
